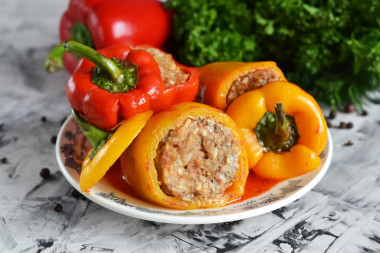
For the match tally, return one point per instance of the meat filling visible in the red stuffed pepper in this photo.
(171, 74)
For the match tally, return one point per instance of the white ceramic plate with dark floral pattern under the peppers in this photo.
(72, 146)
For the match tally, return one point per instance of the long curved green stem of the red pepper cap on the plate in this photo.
(92, 55)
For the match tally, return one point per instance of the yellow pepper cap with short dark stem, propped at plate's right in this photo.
(283, 128)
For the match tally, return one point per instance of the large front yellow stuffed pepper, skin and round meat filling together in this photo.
(189, 157)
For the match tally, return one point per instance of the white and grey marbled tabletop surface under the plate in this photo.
(341, 214)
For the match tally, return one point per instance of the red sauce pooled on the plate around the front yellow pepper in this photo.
(255, 185)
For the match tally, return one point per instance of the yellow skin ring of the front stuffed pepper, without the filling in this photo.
(139, 166)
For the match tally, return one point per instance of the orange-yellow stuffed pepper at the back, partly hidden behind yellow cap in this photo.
(222, 82)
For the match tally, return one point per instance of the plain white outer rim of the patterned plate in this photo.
(193, 219)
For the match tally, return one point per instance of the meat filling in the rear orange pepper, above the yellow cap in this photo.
(250, 81)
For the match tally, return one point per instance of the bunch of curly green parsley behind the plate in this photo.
(330, 48)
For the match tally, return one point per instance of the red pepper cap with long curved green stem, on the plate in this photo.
(106, 91)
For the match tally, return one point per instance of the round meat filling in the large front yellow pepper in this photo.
(197, 160)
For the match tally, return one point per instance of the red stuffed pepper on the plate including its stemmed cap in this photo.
(118, 82)
